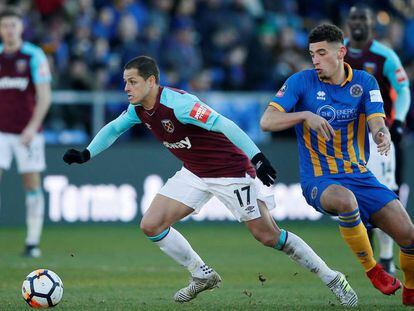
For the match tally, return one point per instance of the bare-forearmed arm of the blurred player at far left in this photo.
(41, 78)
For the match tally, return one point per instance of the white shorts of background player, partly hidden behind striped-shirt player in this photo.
(382, 166)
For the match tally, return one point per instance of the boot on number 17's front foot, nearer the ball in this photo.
(196, 286)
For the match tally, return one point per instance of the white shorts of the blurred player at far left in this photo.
(29, 159)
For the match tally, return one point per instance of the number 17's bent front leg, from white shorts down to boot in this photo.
(179, 197)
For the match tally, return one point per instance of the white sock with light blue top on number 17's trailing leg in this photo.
(303, 255)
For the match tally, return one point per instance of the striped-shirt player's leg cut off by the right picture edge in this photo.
(394, 220)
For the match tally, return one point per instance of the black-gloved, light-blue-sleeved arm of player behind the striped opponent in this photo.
(399, 81)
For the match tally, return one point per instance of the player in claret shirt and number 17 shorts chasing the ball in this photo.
(218, 158)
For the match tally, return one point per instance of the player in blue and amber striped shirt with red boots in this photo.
(330, 107)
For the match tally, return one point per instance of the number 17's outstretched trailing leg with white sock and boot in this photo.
(264, 228)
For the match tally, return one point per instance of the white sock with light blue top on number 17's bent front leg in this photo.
(172, 243)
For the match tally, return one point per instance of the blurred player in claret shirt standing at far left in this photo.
(25, 99)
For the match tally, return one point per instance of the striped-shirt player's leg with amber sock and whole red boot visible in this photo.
(340, 200)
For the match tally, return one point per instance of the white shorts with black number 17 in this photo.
(239, 195)
